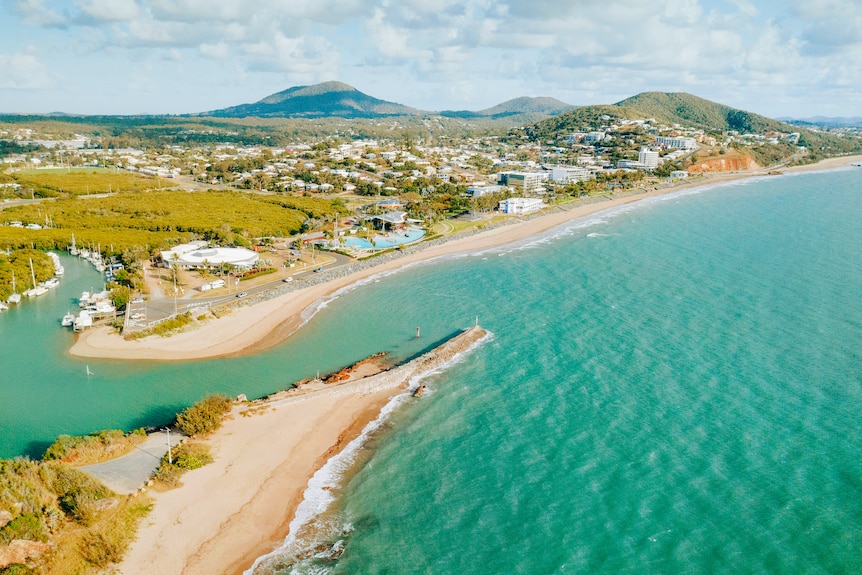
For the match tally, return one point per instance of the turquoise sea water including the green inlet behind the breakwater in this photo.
(671, 387)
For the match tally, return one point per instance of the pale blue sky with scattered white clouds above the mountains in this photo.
(796, 58)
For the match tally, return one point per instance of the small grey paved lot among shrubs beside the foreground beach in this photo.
(130, 472)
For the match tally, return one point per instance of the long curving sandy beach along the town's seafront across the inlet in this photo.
(252, 328)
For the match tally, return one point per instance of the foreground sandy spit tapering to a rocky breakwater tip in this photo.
(241, 507)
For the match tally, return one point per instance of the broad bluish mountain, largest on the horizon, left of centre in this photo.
(320, 100)
